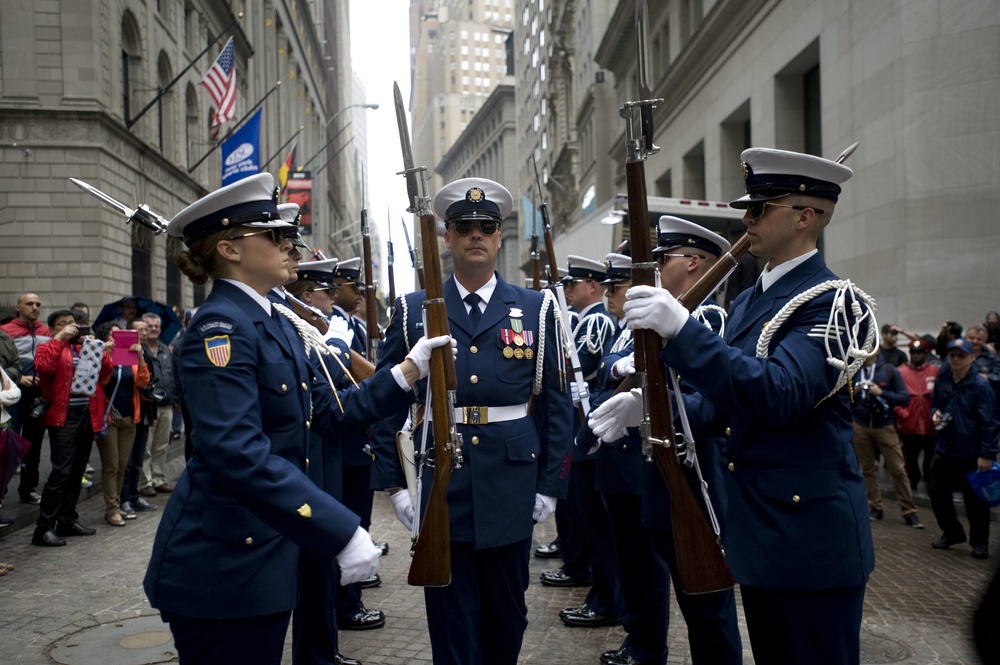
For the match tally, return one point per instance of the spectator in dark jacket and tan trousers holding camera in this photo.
(878, 388)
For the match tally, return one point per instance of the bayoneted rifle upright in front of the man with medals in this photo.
(431, 552)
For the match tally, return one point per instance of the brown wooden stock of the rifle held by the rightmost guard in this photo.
(701, 565)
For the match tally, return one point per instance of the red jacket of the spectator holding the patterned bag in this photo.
(54, 366)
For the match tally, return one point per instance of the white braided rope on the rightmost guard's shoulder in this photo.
(850, 355)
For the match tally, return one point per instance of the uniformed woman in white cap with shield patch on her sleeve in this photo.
(224, 570)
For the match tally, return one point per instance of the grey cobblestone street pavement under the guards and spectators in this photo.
(54, 605)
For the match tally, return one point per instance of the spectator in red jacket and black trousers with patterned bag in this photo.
(71, 369)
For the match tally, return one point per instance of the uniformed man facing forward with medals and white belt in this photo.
(514, 462)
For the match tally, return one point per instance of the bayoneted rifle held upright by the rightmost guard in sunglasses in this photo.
(700, 560)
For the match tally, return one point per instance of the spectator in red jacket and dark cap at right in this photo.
(913, 421)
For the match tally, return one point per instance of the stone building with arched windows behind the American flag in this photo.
(74, 77)
